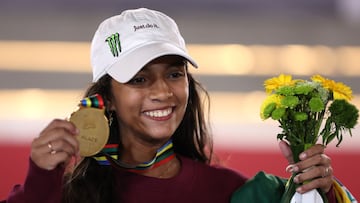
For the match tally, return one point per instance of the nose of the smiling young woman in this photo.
(160, 90)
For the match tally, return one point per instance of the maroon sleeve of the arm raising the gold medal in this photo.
(40, 186)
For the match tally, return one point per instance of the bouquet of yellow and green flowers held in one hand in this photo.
(306, 111)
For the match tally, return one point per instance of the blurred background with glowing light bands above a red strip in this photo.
(45, 67)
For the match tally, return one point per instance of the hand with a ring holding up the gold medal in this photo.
(55, 145)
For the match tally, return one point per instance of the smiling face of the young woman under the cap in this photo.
(152, 104)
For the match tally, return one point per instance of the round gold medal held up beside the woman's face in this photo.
(94, 130)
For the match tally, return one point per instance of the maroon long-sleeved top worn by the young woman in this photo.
(196, 182)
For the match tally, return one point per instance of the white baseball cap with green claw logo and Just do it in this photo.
(125, 43)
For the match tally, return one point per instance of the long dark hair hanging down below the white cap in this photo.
(90, 182)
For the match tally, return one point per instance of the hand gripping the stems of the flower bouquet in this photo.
(314, 166)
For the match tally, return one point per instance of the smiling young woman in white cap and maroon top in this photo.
(163, 146)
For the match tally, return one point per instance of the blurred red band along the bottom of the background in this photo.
(14, 161)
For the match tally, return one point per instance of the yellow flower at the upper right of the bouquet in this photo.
(339, 89)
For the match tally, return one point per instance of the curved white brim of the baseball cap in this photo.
(132, 62)
